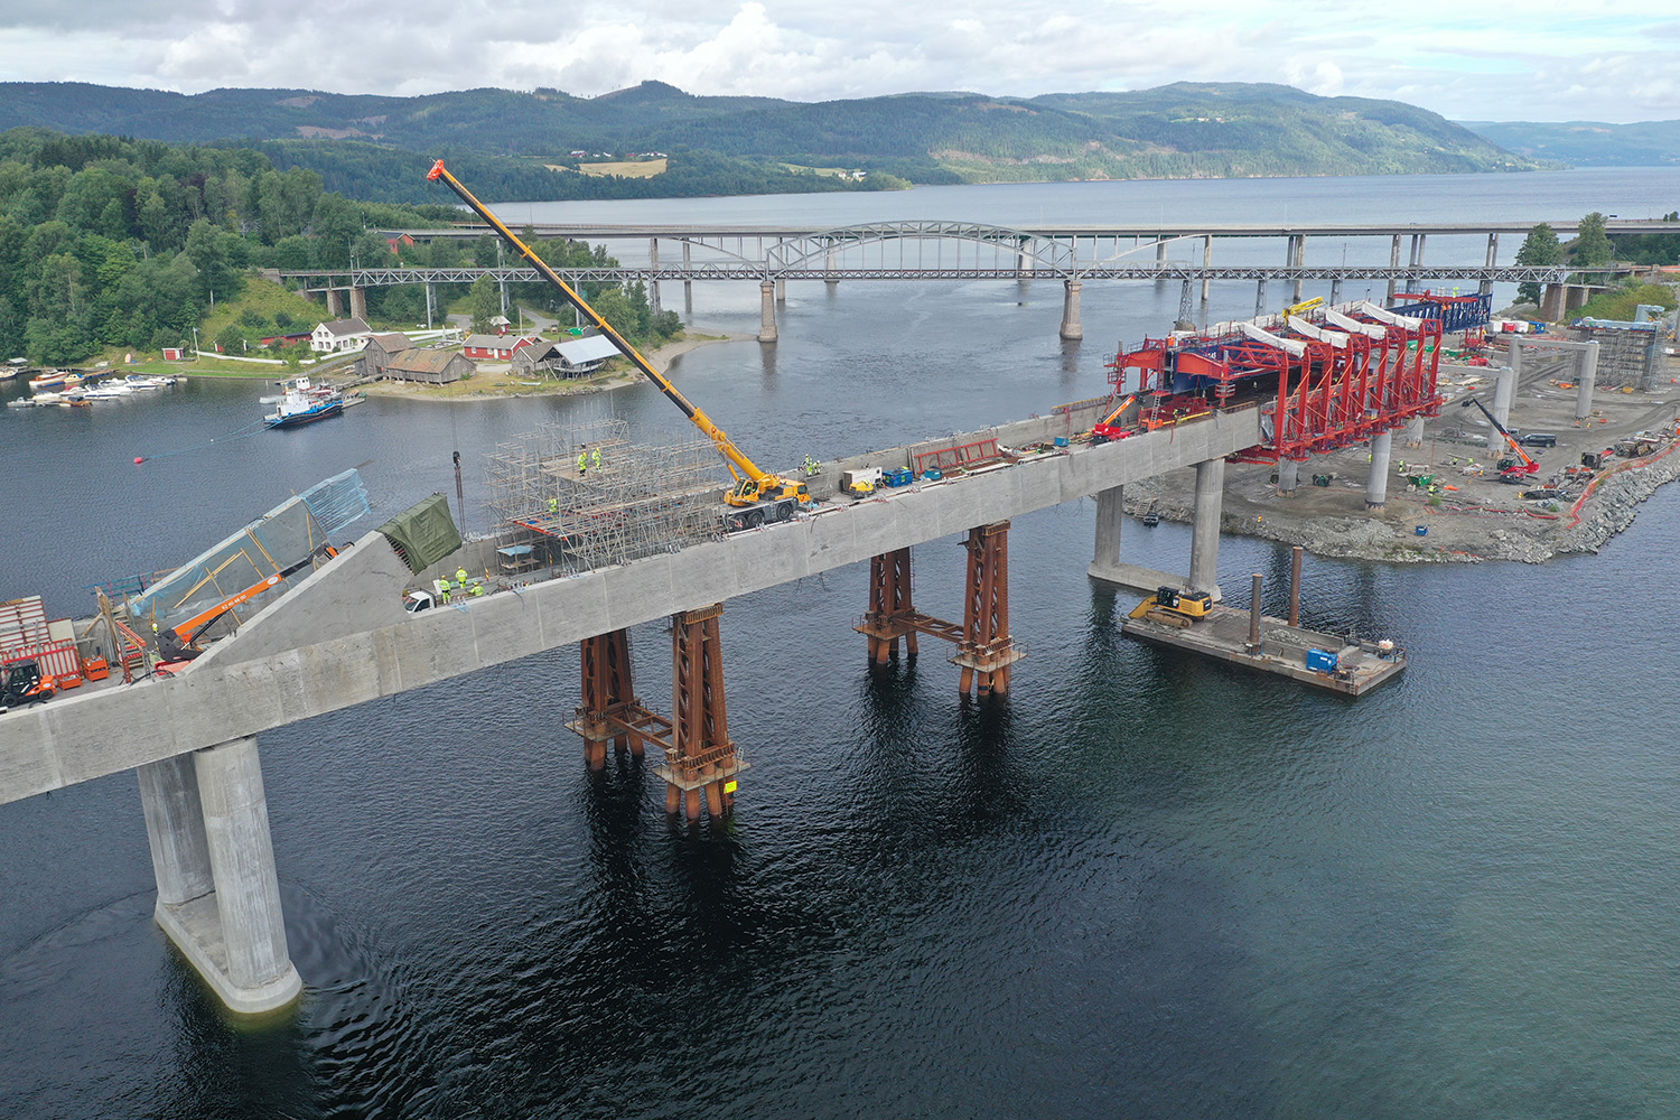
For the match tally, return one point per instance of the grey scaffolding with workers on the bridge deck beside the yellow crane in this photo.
(596, 500)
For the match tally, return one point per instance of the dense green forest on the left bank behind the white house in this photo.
(110, 243)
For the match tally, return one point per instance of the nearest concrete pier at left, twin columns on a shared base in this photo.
(219, 899)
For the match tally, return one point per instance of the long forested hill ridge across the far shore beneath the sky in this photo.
(369, 145)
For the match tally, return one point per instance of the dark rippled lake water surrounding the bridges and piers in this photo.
(1140, 886)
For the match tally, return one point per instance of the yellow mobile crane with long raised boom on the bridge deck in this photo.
(757, 495)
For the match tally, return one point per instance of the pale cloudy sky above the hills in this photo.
(1533, 61)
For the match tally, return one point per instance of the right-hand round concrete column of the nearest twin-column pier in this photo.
(248, 892)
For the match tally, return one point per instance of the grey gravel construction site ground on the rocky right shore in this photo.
(1483, 518)
